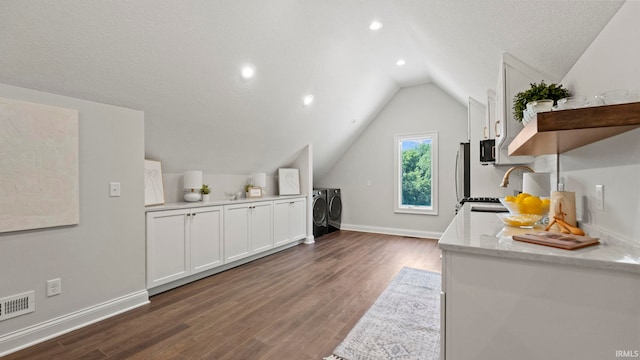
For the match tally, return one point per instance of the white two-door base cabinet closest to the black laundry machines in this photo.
(289, 220)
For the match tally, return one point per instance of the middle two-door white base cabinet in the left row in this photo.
(248, 229)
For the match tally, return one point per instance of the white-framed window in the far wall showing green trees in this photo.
(415, 178)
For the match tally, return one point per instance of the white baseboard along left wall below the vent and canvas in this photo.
(49, 329)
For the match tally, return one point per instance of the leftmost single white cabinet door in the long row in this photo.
(167, 247)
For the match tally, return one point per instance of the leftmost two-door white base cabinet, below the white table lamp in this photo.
(182, 242)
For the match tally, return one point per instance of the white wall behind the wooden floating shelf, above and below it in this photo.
(611, 62)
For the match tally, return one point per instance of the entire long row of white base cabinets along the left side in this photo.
(184, 244)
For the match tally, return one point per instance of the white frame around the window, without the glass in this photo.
(397, 177)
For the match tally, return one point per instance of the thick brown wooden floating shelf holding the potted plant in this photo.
(556, 132)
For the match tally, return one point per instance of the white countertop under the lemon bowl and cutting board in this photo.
(484, 234)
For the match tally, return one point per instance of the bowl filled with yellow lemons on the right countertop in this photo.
(525, 210)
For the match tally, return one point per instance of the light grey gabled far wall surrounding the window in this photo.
(370, 158)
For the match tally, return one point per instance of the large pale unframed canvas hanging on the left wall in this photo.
(39, 184)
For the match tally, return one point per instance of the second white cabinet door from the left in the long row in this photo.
(206, 238)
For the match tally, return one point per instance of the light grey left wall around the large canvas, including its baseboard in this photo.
(101, 261)
